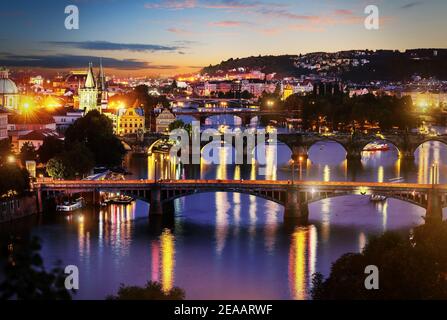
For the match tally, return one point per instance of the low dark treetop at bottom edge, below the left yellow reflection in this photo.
(152, 291)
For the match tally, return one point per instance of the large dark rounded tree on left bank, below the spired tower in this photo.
(95, 131)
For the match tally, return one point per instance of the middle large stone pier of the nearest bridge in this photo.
(295, 210)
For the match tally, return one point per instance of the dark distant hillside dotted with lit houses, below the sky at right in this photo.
(355, 65)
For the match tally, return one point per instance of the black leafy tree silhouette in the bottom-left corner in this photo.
(25, 276)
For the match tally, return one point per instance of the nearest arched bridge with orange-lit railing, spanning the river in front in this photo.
(295, 197)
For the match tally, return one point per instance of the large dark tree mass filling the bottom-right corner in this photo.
(410, 268)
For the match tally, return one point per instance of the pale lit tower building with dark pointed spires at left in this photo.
(93, 94)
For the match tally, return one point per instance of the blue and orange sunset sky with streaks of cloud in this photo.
(169, 37)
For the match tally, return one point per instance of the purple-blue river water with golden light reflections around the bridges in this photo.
(235, 246)
